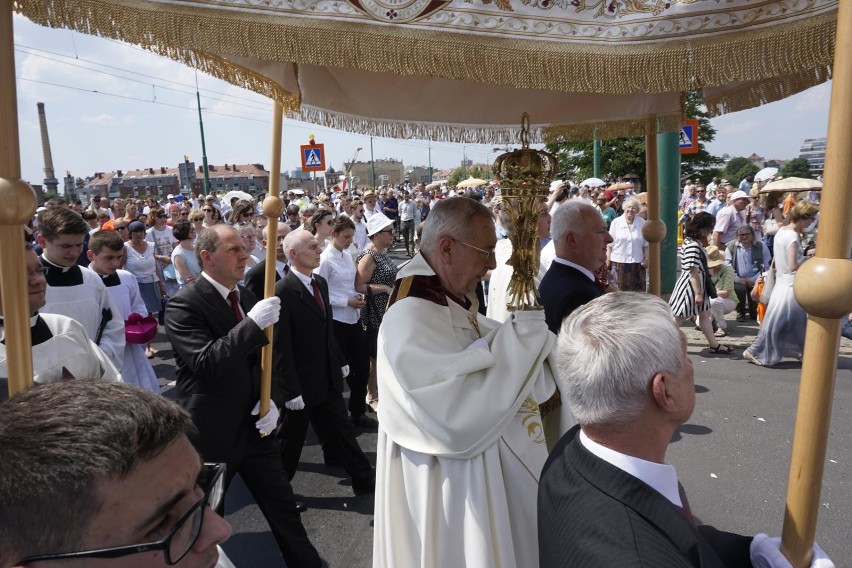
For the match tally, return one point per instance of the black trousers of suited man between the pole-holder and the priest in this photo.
(332, 425)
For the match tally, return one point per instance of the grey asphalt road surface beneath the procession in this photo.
(732, 457)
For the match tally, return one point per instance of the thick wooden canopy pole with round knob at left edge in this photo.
(18, 206)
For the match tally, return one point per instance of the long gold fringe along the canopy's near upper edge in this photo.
(429, 50)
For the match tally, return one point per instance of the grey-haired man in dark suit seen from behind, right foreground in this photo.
(607, 496)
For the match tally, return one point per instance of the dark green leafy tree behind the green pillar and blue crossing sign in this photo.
(620, 156)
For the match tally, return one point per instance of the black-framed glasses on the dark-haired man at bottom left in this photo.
(178, 542)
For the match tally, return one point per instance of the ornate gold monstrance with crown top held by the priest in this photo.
(524, 176)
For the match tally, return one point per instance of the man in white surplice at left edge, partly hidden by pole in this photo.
(61, 348)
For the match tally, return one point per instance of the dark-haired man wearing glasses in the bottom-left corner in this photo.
(97, 473)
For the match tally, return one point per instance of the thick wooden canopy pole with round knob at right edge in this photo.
(822, 287)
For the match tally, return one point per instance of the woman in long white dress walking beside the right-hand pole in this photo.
(782, 331)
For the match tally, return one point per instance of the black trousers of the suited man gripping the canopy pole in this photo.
(261, 469)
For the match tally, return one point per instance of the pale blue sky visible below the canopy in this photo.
(144, 115)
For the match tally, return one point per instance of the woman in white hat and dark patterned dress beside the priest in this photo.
(375, 279)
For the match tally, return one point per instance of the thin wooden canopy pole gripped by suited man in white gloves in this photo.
(273, 207)
